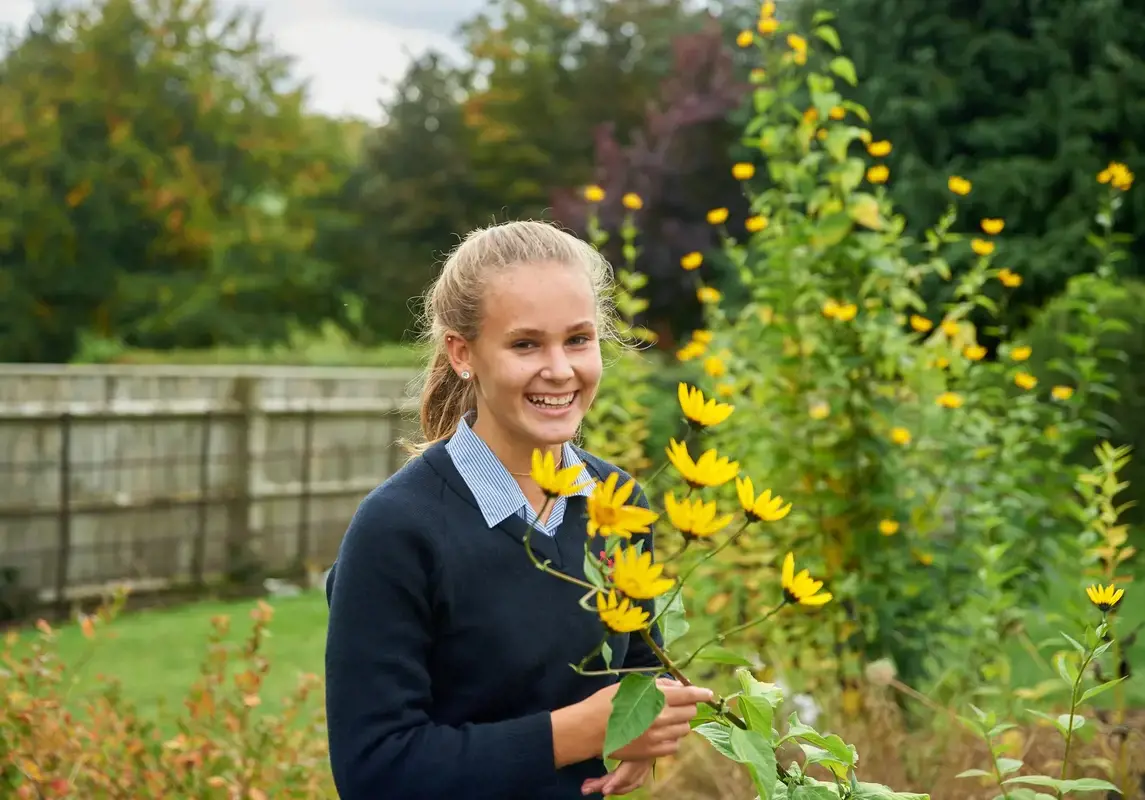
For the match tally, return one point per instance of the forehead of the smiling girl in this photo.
(543, 297)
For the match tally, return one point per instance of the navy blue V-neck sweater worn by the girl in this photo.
(447, 649)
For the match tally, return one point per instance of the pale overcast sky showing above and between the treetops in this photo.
(345, 47)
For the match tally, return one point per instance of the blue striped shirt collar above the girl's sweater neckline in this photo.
(496, 492)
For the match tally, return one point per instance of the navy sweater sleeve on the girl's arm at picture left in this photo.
(380, 694)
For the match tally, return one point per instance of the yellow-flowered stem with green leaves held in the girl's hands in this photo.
(708, 506)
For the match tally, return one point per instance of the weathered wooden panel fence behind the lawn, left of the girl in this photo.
(155, 477)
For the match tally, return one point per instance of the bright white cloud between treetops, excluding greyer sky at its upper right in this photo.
(348, 57)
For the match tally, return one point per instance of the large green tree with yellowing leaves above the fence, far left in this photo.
(161, 183)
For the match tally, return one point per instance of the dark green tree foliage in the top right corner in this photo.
(1028, 102)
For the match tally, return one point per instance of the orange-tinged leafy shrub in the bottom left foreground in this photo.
(220, 747)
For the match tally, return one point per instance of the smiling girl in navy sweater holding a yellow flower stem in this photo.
(448, 654)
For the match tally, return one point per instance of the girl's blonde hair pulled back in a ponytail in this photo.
(455, 304)
